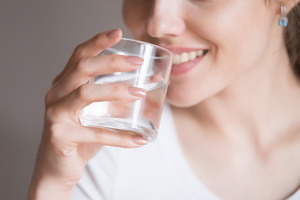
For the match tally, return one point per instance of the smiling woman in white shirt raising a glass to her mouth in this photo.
(231, 130)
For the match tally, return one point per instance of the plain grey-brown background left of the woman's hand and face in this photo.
(36, 40)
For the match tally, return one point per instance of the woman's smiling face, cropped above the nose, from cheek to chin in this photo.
(215, 42)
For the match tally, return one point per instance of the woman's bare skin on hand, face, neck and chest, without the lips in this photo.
(240, 103)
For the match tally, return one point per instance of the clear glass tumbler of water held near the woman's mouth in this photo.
(140, 117)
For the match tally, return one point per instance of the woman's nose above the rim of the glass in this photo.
(165, 19)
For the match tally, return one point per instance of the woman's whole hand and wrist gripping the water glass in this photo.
(67, 146)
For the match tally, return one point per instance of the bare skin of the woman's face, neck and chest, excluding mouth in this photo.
(235, 112)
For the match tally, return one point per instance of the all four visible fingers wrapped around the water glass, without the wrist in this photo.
(70, 93)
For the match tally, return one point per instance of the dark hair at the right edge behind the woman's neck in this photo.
(292, 38)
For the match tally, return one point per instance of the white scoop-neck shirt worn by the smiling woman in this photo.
(157, 171)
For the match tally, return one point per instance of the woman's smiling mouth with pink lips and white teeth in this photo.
(184, 59)
